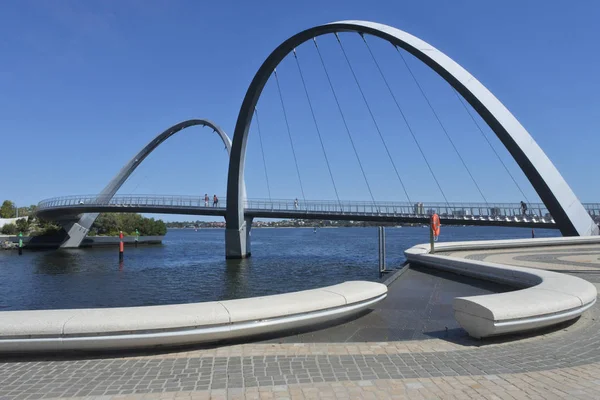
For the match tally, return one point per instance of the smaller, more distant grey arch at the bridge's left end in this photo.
(77, 230)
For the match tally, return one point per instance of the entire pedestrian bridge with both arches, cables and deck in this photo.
(561, 208)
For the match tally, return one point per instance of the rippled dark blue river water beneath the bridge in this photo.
(190, 267)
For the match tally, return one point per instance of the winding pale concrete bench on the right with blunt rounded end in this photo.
(548, 298)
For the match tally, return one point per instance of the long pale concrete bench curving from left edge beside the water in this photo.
(181, 324)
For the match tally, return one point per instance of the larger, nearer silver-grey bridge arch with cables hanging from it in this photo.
(567, 211)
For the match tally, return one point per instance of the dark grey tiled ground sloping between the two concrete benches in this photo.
(418, 306)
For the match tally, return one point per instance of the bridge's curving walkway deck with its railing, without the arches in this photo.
(496, 214)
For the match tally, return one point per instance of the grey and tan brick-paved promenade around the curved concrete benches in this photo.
(563, 363)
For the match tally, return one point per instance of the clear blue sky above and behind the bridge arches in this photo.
(84, 85)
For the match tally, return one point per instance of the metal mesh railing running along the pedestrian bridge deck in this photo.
(494, 211)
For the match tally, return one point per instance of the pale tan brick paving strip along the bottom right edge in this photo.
(567, 383)
